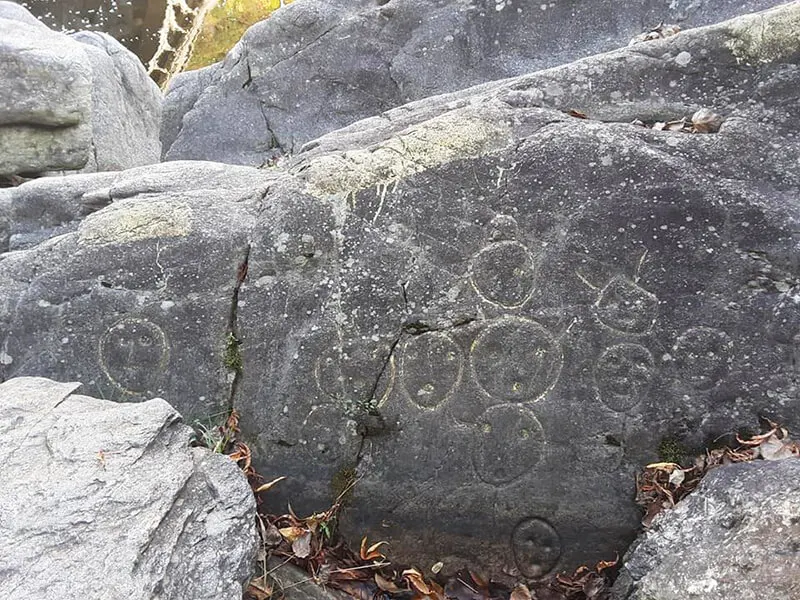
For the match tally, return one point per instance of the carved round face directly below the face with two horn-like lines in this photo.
(623, 374)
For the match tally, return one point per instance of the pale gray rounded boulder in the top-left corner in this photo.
(72, 102)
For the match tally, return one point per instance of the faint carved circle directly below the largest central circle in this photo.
(510, 443)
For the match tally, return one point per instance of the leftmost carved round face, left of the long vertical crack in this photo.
(133, 354)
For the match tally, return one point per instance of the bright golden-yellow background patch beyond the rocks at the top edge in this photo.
(224, 26)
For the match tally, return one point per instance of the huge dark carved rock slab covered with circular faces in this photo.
(490, 310)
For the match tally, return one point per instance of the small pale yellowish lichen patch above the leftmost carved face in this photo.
(135, 220)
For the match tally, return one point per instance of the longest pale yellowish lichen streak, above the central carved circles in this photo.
(443, 139)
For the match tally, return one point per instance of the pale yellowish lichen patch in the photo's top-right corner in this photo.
(766, 37)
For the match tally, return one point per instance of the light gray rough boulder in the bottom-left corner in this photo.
(105, 500)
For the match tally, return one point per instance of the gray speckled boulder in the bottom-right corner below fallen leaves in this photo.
(736, 536)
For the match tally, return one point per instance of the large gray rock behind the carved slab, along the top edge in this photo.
(318, 65)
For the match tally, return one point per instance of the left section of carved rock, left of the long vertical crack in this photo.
(140, 295)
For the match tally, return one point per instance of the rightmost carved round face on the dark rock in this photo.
(703, 355)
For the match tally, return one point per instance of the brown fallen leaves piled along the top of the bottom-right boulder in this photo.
(664, 484)
